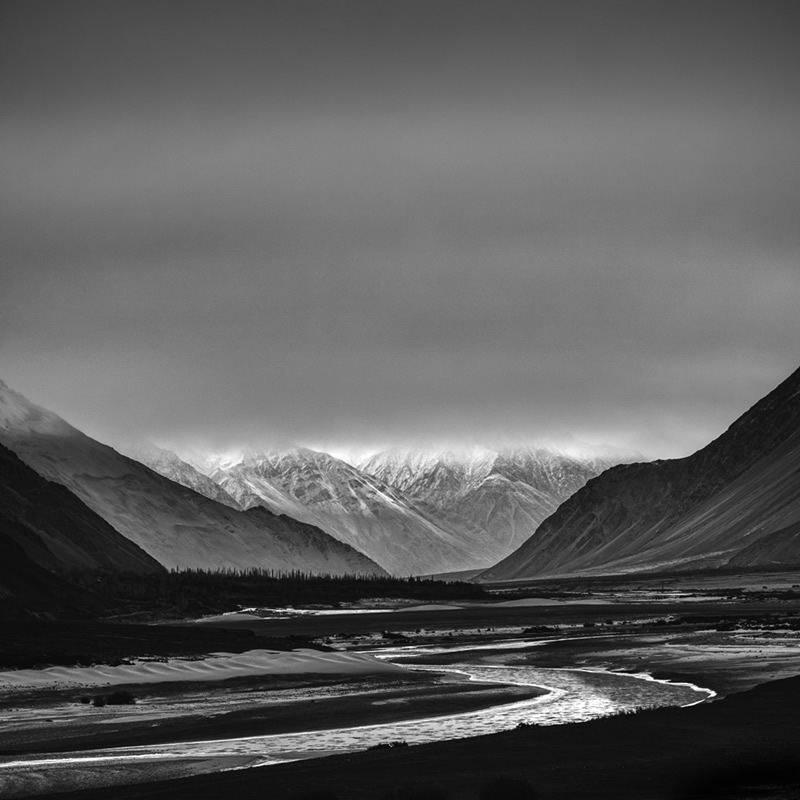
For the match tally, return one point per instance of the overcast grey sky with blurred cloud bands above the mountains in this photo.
(356, 223)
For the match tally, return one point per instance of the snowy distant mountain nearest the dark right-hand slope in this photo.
(499, 495)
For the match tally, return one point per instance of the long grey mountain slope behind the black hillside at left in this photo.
(175, 525)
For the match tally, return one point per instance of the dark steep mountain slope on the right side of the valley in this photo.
(736, 501)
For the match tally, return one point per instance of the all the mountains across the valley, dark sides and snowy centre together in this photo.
(516, 513)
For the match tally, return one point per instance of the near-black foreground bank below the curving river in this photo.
(741, 748)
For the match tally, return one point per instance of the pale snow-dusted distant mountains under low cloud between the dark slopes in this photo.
(413, 511)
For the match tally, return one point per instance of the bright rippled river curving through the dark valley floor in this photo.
(574, 695)
